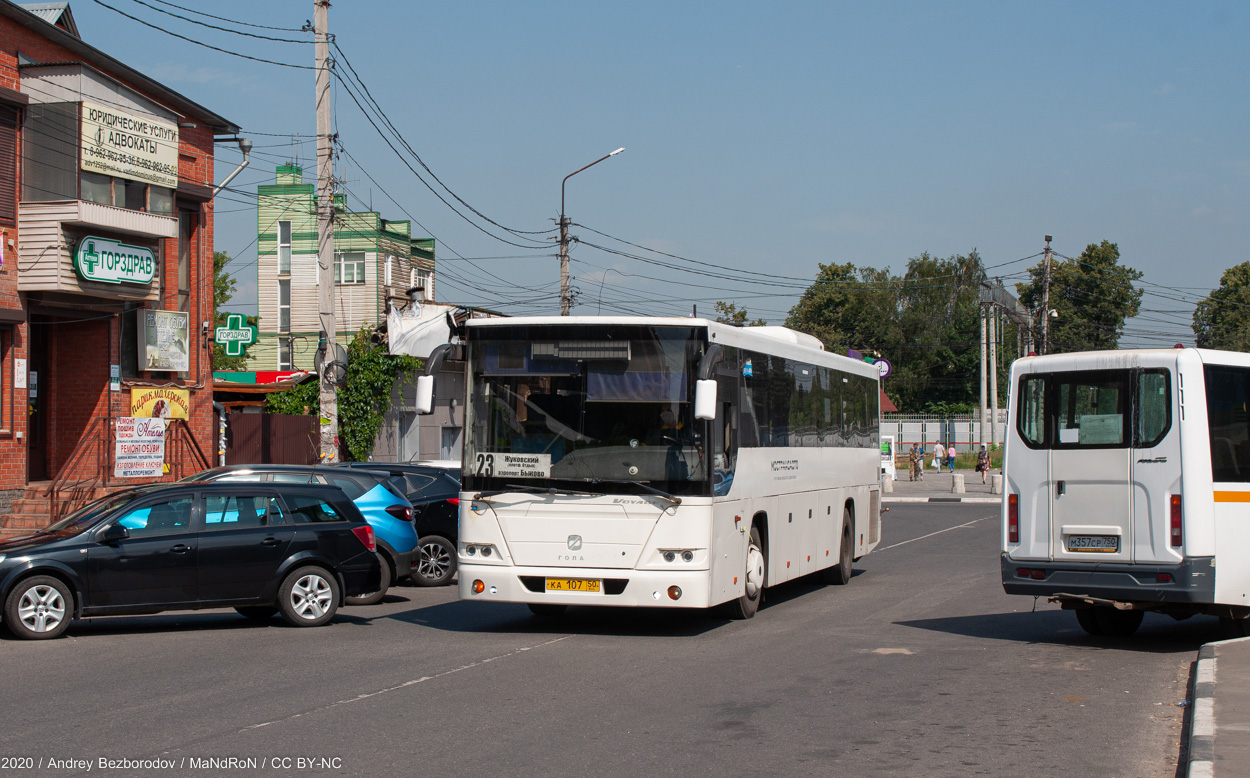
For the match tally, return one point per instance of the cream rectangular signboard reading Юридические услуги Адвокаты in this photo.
(129, 146)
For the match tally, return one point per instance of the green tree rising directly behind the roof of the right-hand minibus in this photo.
(1093, 296)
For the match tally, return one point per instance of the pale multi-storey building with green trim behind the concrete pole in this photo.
(377, 262)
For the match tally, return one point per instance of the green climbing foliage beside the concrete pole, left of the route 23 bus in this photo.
(363, 401)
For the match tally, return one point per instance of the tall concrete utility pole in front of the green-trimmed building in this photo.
(326, 235)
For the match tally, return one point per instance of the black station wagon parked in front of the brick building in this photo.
(259, 548)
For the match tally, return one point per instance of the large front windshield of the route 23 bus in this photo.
(569, 407)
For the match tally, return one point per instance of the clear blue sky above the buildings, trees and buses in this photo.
(761, 137)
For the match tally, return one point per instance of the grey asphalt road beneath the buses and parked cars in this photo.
(921, 667)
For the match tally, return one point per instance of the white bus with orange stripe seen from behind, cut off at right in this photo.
(1128, 486)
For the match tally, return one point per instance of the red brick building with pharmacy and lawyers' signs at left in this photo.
(107, 276)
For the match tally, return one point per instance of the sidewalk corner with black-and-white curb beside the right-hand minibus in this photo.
(1219, 732)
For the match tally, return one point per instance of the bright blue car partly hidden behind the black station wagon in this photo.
(384, 507)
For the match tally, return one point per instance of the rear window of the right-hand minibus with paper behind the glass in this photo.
(1092, 410)
